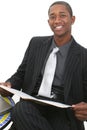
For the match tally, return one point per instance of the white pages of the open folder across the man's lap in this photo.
(29, 97)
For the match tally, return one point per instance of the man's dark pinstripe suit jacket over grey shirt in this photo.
(75, 75)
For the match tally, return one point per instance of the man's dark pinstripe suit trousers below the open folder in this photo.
(27, 115)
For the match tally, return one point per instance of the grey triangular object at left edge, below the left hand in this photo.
(4, 106)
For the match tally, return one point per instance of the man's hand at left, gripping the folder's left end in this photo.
(4, 92)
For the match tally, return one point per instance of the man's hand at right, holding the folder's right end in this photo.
(80, 110)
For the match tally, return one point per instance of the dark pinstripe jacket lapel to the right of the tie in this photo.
(72, 63)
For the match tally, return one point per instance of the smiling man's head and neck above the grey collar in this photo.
(60, 20)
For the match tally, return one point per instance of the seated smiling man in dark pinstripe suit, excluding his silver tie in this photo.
(70, 79)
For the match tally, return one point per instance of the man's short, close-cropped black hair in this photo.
(62, 3)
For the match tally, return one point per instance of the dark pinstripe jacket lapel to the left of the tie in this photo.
(41, 54)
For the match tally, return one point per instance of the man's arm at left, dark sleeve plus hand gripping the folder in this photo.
(16, 80)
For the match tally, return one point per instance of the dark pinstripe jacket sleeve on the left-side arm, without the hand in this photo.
(17, 78)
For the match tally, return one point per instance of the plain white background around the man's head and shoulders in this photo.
(20, 20)
